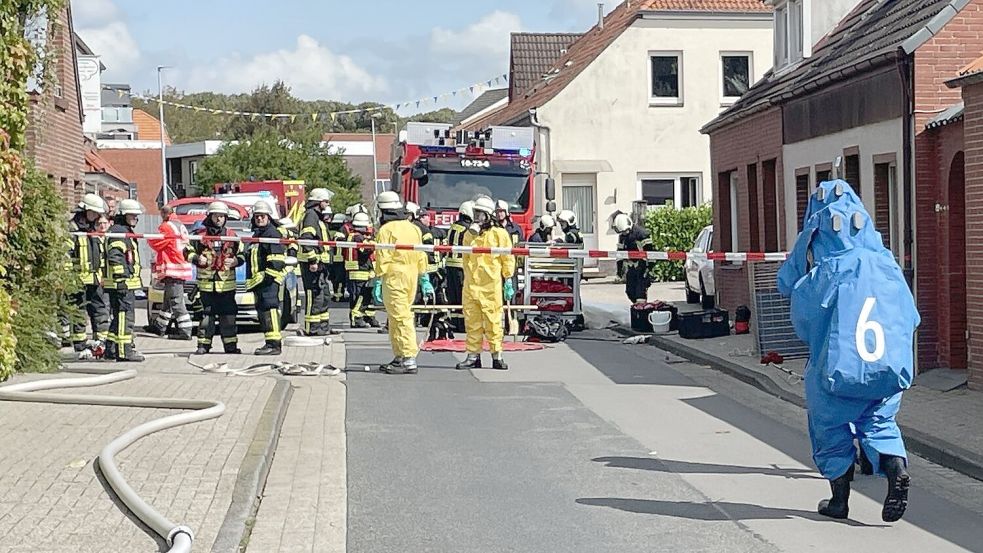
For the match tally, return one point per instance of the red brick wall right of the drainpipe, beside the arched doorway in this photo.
(937, 61)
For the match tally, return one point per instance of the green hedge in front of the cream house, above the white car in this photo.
(675, 230)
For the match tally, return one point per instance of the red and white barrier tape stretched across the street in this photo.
(544, 251)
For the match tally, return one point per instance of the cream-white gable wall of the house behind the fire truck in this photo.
(604, 114)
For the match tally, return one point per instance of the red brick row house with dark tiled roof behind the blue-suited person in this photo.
(870, 93)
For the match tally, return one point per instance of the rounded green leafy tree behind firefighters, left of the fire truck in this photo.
(269, 156)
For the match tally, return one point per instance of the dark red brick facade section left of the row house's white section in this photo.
(733, 148)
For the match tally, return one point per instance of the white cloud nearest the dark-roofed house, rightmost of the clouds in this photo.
(484, 40)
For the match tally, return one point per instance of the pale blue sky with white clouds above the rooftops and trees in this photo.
(387, 51)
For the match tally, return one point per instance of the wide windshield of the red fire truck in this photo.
(449, 186)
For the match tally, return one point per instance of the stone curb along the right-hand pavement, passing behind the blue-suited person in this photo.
(924, 445)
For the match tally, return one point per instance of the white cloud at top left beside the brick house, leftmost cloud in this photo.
(102, 27)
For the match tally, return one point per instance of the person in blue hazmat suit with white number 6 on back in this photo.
(852, 306)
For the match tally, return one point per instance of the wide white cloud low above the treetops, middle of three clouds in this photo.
(310, 69)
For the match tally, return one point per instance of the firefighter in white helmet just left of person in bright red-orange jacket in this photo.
(123, 277)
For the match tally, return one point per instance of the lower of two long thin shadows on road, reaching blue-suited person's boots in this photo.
(717, 511)
